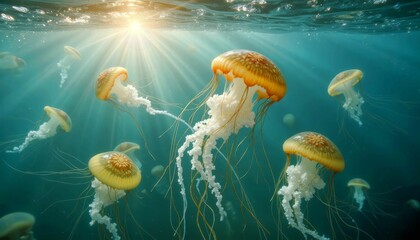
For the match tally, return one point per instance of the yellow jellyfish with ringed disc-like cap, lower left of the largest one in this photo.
(114, 173)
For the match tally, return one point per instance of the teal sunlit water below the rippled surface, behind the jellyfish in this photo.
(173, 66)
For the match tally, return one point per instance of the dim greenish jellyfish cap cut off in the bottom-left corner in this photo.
(17, 226)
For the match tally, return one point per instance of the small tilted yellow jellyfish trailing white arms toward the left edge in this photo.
(48, 129)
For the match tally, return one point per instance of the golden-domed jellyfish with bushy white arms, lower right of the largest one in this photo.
(313, 151)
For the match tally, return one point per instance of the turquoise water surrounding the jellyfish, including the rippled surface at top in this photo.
(170, 65)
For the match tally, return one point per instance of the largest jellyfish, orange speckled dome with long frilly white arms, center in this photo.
(248, 73)
